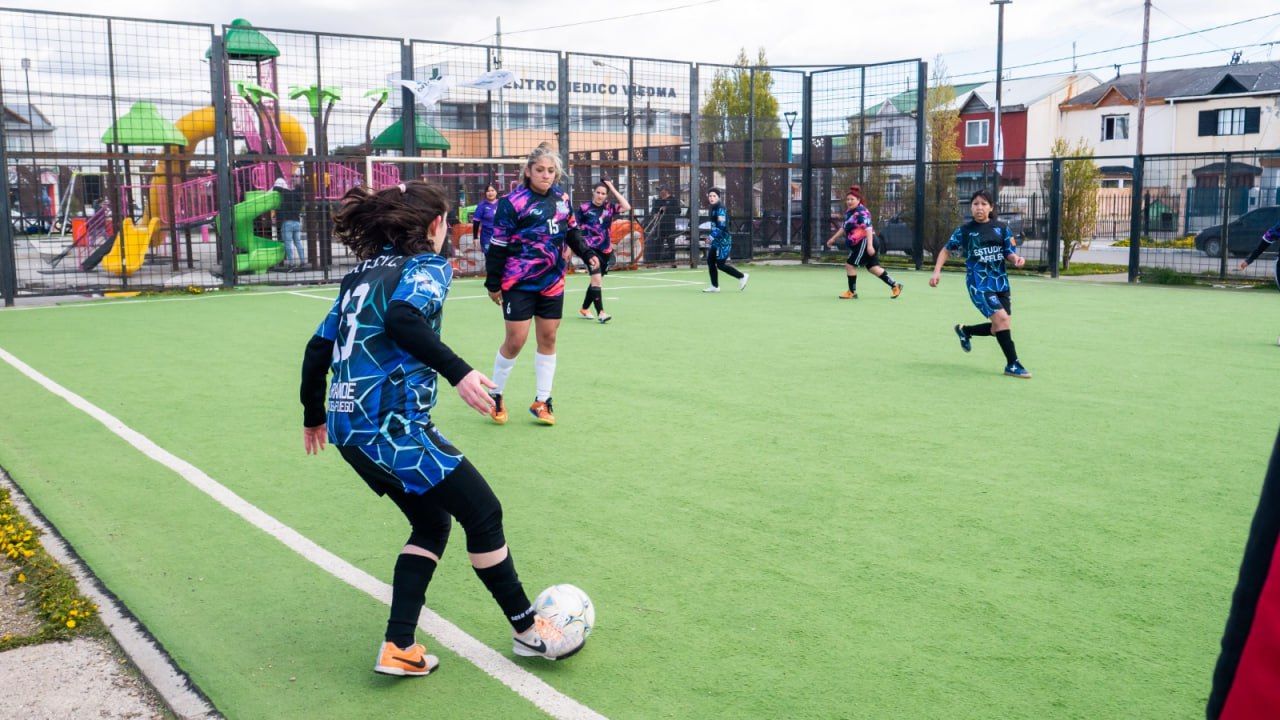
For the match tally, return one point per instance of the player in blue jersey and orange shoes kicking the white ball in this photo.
(381, 340)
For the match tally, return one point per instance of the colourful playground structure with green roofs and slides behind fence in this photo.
(173, 198)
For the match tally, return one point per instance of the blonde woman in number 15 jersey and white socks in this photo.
(525, 275)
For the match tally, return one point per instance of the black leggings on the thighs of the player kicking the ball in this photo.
(464, 494)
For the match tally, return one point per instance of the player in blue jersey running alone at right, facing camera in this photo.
(988, 245)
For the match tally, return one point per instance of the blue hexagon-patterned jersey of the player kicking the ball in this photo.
(380, 393)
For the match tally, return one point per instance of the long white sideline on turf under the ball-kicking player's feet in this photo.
(524, 683)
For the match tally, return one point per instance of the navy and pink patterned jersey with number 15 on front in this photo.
(532, 229)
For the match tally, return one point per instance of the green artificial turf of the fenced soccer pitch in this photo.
(783, 504)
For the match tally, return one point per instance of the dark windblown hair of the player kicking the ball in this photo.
(399, 217)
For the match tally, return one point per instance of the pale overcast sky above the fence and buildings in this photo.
(963, 33)
